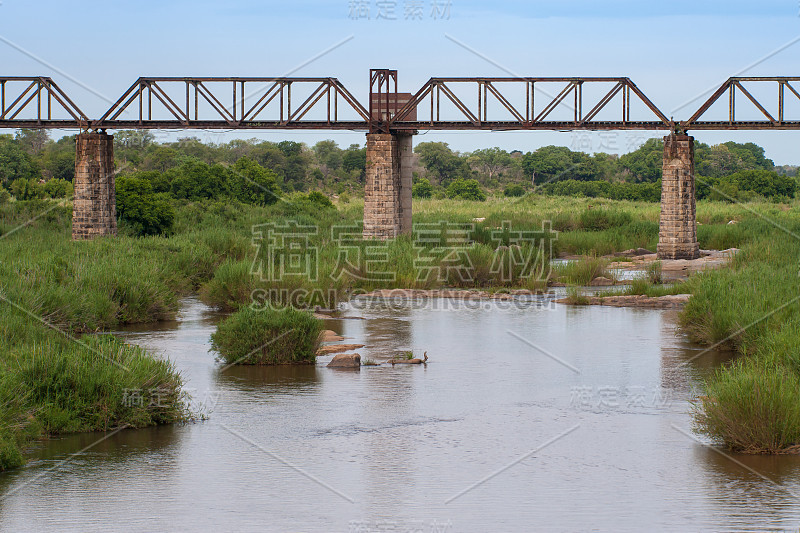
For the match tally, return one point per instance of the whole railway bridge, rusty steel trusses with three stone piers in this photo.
(390, 120)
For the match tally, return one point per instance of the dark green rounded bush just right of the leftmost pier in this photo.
(142, 210)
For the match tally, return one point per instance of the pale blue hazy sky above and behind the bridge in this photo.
(675, 51)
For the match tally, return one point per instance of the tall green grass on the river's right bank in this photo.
(752, 406)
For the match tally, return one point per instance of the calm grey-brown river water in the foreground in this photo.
(532, 416)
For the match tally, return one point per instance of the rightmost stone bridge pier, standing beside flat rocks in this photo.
(677, 236)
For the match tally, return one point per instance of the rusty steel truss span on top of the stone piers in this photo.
(496, 104)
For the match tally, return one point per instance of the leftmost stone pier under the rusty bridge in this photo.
(94, 208)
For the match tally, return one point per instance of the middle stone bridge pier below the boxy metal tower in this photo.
(387, 197)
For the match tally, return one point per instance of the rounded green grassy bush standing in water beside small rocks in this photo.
(268, 336)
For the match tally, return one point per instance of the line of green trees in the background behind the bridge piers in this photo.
(252, 171)
